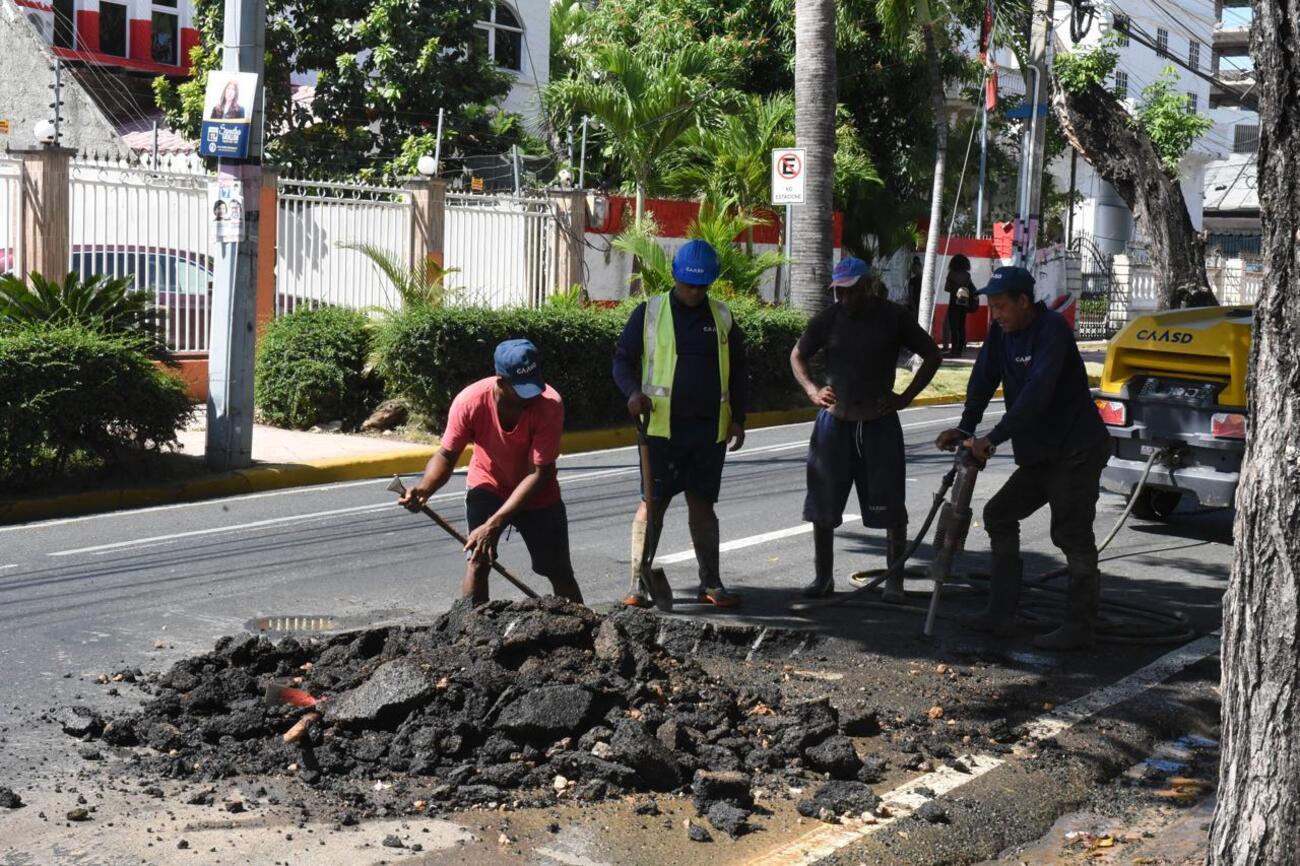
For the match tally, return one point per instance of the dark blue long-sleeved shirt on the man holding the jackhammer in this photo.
(1050, 409)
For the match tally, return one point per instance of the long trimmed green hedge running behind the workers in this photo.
(428, 356)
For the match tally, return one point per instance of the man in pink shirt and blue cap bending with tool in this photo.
(514, 421)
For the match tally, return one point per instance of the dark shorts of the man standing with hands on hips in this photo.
(863, 454)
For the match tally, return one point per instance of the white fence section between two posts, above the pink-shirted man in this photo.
(501, 248)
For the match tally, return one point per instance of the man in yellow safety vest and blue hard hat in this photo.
(682, 361)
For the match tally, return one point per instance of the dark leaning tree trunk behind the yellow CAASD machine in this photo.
(1100, 129)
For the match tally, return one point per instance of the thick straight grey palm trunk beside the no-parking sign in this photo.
(814, 131)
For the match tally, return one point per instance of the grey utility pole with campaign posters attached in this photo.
(235, 331)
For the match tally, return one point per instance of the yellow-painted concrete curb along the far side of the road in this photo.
(275, 477)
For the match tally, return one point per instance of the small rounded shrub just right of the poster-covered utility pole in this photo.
(313, 369)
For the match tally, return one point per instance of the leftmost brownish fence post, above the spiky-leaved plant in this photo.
(44, 207)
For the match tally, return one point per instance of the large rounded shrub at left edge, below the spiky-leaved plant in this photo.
(72, 393)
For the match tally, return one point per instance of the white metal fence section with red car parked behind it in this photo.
(153, 227)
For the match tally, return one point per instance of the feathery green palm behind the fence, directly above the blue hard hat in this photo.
(645, 101)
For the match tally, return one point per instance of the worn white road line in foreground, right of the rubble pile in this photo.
(904, 800)
